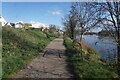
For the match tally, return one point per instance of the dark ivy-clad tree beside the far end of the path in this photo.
(69, 21)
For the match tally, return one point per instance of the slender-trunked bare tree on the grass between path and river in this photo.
(87, 18)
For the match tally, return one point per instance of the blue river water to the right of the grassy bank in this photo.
(106, 49)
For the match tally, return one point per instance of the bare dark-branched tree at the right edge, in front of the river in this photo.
(111, 22)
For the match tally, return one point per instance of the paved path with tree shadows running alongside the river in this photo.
(52, 65)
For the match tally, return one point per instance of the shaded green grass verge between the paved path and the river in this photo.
(88, 67)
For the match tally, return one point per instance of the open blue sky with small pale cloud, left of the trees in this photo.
(43, 12)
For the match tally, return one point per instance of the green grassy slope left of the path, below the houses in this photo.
(20, 46)
